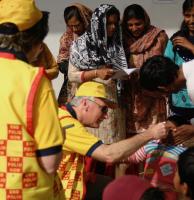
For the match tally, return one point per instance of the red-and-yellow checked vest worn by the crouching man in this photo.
(71, 169)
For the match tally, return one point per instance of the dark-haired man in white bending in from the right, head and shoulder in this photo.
(161, 74)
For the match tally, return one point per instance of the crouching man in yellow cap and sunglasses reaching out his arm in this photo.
(88, 109)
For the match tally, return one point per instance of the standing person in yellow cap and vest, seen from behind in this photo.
(31, 138)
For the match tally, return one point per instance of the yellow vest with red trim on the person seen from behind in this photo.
(21, 177)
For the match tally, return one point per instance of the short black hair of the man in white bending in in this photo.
(158, 71)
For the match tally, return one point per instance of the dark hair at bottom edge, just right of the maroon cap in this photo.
(153, 194)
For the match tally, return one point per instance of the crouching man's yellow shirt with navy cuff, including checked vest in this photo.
(78, 144)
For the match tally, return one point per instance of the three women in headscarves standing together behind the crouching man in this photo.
(96, 52)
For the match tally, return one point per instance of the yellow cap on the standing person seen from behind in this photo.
(22, 13)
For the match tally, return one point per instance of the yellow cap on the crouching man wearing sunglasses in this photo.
(95, 89)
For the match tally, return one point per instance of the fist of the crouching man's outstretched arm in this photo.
(158, 131)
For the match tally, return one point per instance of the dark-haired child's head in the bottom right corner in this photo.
(184, 176)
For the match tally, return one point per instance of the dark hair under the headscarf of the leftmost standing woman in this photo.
(72, 11)
